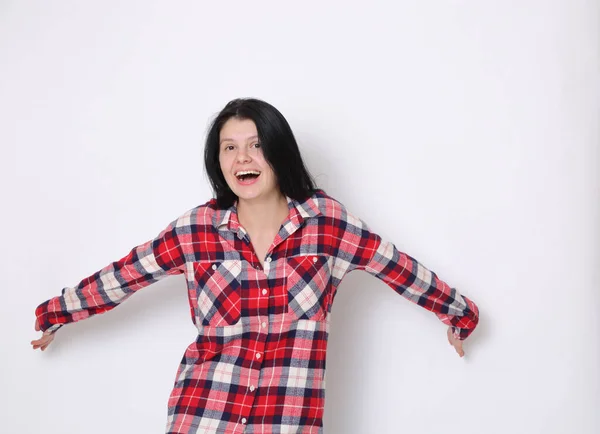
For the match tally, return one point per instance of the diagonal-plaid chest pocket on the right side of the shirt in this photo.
(308, 280)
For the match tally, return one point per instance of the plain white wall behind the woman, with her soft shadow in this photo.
(466, 132)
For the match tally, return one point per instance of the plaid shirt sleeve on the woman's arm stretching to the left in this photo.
(113, 284)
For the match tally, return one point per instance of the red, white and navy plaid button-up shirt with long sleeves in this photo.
(258, 363)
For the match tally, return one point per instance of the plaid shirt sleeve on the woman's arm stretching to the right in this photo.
(362, 249)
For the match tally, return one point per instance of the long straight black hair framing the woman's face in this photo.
(277, 143)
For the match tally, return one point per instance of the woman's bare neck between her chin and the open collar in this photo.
(263, 212)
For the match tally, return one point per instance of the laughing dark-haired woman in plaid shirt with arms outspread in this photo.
(262, 261)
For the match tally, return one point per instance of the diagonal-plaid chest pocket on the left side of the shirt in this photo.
(218, 292)
